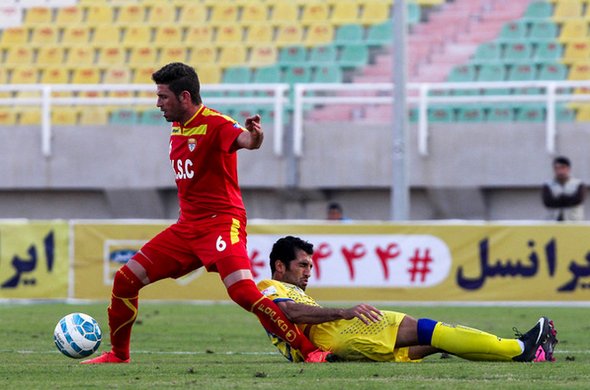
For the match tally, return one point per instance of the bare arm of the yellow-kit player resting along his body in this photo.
(306, 314)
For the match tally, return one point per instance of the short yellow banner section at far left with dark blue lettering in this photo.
(34, 259)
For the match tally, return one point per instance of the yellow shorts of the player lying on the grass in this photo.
(353, 340)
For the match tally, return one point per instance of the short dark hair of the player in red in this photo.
(179, 77)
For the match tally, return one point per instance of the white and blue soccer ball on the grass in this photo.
(77, 335)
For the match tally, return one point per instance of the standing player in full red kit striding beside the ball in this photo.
(211, 228)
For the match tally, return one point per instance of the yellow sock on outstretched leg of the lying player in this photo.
(473, 344)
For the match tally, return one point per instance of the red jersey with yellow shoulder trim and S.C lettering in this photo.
(205, 165)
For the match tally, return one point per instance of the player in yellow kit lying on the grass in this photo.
(365, 333)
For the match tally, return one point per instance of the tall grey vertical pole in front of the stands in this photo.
(400, 191)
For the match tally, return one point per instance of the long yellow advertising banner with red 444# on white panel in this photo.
(376, 262)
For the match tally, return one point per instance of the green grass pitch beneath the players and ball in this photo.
(222, 347)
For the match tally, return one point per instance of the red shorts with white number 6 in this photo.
(218, 243)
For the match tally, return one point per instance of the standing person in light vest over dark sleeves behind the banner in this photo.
(564, 195)
